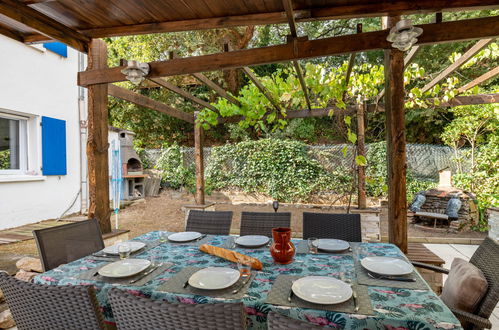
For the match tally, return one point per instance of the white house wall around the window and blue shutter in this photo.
(39, 83)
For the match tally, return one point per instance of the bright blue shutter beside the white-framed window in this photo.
(53, 146)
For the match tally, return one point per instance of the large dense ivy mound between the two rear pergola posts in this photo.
(283, 169)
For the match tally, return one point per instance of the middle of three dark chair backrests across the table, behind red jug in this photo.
(261, 223)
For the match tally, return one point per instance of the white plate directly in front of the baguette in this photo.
(214, 278)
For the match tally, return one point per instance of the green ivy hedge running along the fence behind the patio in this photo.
(283, 169)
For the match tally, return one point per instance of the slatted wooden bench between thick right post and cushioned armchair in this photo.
(418, 252)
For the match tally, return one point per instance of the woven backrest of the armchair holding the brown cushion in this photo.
(486, 258)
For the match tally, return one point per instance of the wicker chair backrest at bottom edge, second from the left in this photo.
(134, 312)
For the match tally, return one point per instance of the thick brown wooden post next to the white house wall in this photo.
(97, 142)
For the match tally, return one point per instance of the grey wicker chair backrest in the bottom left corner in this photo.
(38, 306)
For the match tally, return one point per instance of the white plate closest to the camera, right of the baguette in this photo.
(322, 290)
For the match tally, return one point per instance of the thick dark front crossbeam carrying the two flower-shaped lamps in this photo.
(477, 28)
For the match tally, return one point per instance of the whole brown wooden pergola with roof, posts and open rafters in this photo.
(79, 24)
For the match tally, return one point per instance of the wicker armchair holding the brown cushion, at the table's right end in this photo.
(486, 258)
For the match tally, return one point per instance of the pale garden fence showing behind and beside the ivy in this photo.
(423, 160)
